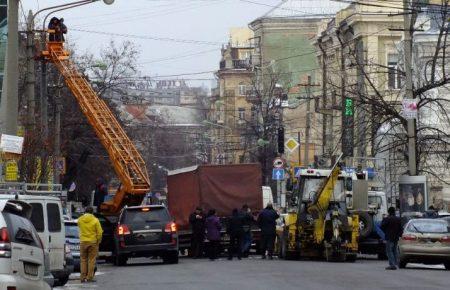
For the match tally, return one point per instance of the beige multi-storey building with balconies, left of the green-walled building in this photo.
(230, 112)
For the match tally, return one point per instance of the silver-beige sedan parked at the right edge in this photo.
(425, 241)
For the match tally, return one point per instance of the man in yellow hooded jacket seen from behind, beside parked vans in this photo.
(90, 238)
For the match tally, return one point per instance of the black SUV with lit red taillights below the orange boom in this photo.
(145, 231)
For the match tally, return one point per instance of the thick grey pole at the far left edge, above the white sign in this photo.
(10, 99)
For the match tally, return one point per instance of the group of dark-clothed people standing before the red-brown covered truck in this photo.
(206, 231)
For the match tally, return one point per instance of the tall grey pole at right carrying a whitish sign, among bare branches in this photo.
(407, 35)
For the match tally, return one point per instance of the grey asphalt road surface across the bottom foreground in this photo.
(254, 273)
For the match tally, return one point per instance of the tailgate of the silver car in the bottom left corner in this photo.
(27, 255)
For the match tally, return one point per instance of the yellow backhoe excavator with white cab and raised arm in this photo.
(318, 225)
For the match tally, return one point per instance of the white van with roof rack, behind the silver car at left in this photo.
(47, 218)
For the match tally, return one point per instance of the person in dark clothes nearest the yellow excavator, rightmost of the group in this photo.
(267, 222)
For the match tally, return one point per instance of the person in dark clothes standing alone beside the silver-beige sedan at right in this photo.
(392, 228)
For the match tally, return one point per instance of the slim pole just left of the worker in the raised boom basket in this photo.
(31, 74)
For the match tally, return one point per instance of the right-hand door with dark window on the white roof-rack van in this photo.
(56, 234)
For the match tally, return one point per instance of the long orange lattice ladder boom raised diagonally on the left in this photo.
(127, 161)
